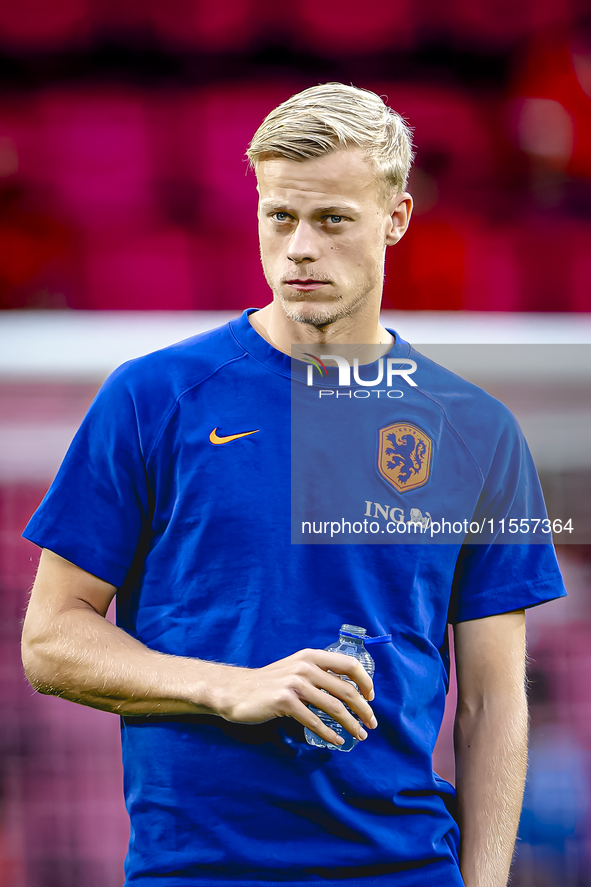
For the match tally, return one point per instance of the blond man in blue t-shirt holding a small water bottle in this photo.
(175, 495)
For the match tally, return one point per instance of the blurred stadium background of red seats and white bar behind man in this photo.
(127, 221)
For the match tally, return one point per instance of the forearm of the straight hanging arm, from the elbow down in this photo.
(491, 763)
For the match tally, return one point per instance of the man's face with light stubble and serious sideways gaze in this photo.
(323, 228)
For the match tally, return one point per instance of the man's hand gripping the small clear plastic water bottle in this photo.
(285, 688)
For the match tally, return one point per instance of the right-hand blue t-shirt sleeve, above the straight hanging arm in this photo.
(499, 570)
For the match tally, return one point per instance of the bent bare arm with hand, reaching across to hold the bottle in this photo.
(71, 650)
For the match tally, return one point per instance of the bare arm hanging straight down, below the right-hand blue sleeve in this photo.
(490, 738)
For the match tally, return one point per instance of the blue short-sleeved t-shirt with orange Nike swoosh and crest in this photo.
(196, 535)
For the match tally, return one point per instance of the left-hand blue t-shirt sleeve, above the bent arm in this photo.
(99, 505)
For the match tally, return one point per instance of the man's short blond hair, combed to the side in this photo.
(334, 116)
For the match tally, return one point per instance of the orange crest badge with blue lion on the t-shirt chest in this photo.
(404, 456)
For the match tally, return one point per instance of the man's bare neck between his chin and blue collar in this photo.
(282, 333)
